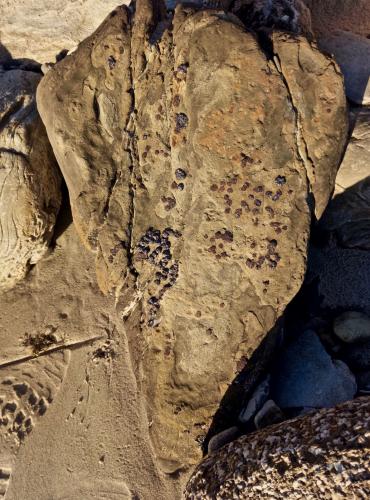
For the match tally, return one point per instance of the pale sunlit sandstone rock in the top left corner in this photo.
(41, 29)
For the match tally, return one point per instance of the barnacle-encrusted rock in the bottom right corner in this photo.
(309, 457)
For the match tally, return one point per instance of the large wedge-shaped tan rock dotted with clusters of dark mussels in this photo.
(192, 170)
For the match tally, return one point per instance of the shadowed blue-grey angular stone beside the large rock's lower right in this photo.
(306, 375)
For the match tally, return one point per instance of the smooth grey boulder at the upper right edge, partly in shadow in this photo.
(352, 53)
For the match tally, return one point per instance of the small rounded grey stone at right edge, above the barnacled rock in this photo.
(352, 326)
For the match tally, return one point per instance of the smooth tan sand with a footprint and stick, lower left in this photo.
(72, 422)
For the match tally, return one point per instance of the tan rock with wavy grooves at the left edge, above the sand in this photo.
(29, 178)
